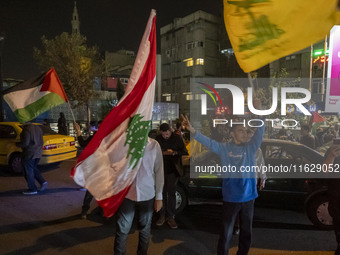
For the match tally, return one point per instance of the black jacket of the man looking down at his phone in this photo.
(175, 143)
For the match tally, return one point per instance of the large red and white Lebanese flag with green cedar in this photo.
(109, 164)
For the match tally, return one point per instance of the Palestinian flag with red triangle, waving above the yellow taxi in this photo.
(35, 96)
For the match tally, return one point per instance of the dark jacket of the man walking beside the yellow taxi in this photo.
(31, 141)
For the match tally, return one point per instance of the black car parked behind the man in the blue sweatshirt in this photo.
(310, 194)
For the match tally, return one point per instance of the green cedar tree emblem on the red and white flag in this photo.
(136, 138)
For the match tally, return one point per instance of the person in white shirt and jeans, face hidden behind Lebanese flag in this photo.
(144, 197)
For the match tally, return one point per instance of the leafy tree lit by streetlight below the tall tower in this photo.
(76, 64)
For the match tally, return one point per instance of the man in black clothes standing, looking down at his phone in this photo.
(173, 148)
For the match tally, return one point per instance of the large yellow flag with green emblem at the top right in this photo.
(262, 31)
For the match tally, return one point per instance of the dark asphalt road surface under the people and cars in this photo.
(49, 223)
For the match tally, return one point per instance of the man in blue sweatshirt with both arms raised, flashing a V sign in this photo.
(239, 188)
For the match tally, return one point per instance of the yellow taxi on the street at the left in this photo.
(56, 147)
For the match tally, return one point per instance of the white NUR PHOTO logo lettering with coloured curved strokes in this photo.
(239, 104)
